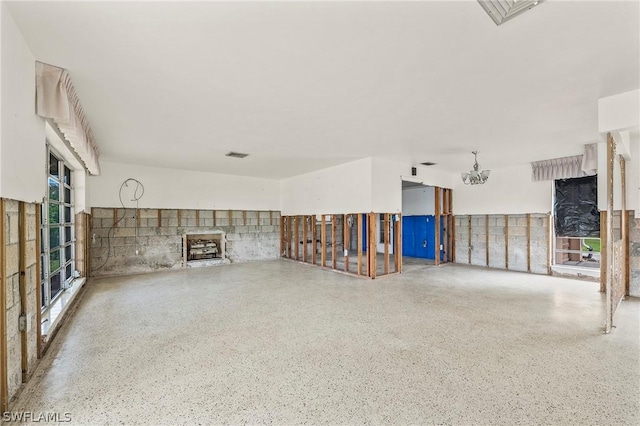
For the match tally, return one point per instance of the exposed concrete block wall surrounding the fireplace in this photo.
(152, 240)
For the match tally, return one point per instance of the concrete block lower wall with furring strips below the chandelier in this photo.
(505, 237)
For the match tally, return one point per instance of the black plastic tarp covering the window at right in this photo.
(576, 207)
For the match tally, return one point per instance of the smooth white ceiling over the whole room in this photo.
(305, 85)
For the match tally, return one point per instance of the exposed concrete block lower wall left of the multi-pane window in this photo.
(20, 261)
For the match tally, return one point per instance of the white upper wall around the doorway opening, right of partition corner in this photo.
(387, 183)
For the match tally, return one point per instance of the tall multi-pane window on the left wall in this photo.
(57, 232)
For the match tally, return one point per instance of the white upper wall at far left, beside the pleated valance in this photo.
(22, 147)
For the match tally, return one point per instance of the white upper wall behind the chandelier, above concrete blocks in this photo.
(509, 190)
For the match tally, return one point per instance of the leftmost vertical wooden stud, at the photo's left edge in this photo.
(4, 385)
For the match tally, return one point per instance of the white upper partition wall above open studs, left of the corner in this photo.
(341, 189)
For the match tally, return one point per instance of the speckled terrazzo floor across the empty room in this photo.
(283, 343)
